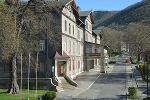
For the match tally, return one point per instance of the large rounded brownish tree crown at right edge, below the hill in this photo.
(138, 37)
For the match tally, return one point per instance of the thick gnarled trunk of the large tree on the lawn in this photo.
(13, 88)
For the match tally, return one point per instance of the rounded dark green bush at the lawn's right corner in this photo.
(50, 95)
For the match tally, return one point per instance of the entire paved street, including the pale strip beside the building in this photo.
(98, 86)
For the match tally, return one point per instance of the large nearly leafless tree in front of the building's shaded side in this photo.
(21, 31)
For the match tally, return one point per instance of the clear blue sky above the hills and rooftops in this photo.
(104, 4)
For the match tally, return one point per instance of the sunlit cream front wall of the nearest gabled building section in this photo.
(72, 41)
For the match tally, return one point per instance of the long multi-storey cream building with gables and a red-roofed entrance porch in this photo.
(76, 47)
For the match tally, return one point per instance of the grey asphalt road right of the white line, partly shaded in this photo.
(108, 86)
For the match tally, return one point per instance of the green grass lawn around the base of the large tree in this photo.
(21, 96)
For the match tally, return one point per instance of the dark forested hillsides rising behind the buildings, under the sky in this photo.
(139, 12)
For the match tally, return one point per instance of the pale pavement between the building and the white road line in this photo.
(84, 80)
